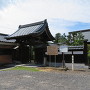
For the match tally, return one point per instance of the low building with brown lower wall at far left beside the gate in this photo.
(6, 49)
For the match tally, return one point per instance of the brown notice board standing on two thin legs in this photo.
(52, 50)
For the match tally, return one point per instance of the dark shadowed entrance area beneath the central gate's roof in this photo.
(29, 54)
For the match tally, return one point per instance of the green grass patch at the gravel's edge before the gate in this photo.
(23, 68)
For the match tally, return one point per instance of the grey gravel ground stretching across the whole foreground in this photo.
(63, 80)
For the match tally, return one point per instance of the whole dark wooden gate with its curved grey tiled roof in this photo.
(32, 39)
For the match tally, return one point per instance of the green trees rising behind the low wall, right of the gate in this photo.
(73, 39)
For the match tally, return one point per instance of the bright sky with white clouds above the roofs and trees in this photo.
(63, 16)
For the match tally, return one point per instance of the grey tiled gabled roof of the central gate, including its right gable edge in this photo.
(33, 30)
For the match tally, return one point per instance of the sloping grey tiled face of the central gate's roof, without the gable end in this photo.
(29, 29)
